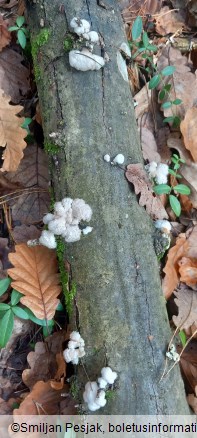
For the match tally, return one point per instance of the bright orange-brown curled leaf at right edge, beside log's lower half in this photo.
(185, 247)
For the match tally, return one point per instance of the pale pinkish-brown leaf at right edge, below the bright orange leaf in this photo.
(186, 301)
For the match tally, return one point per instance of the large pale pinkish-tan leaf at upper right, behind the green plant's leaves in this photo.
(183, 82)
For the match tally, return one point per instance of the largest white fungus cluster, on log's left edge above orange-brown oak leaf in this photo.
(68, 213)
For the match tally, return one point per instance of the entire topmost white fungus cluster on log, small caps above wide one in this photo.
(84, 59)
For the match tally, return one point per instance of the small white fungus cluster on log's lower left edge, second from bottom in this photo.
(75, 348)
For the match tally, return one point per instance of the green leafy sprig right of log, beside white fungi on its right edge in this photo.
(172, 191)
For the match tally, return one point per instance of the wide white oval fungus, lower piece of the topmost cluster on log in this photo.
(84, 60)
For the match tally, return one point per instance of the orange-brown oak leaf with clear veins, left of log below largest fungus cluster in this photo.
(35, 275)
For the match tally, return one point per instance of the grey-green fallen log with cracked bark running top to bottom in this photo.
(120, 310)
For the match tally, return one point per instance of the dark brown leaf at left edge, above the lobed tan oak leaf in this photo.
(14, 76)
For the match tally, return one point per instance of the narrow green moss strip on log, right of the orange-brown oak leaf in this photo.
(69, 294)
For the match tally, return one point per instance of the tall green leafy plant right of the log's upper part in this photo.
(141, 44)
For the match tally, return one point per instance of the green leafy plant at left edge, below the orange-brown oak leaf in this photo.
(13, 308)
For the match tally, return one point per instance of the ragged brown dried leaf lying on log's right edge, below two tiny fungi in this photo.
(138, 177)
